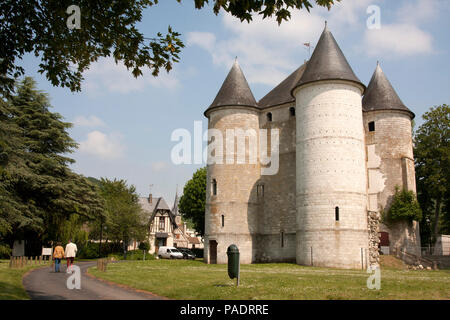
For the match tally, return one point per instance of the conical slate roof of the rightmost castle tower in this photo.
(380, 95)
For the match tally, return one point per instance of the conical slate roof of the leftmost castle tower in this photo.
(234, 91)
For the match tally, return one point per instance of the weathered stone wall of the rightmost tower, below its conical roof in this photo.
(390, 164)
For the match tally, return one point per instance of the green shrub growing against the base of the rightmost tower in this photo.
(404, 206)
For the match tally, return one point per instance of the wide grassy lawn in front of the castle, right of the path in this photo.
(196, 280)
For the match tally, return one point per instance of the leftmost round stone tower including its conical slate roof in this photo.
(231, 194)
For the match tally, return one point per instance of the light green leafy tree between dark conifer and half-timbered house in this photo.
(124, 218)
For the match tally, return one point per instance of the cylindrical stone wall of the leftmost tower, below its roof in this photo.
(236, 198)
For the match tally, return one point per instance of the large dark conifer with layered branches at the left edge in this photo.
(38, 191)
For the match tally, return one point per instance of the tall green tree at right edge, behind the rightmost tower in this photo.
(432, 161)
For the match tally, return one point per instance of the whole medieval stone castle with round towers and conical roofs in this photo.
(344, 147)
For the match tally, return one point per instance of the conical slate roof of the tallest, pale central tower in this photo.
(327, 62)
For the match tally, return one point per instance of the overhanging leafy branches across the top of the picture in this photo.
(107, 28)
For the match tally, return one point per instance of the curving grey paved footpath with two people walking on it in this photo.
(45, 284)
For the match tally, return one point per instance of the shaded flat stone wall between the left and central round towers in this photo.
(277, 216)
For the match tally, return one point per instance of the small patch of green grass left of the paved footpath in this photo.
(11, 287)
